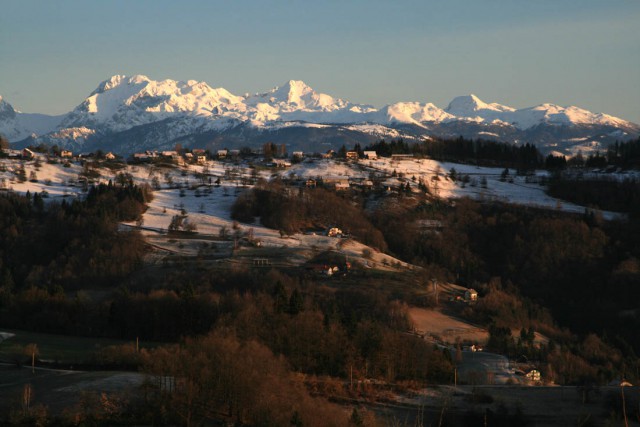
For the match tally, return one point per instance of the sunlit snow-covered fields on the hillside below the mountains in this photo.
(208, 206)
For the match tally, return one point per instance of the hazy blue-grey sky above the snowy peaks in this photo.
(516, 52)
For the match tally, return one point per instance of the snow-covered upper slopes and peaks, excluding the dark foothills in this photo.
(125, 103)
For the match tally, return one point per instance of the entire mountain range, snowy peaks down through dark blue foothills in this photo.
(129, 114)
